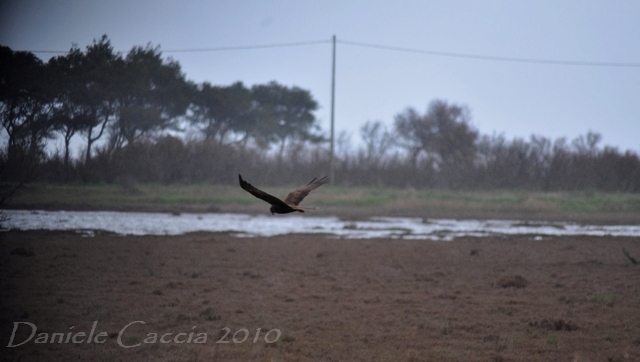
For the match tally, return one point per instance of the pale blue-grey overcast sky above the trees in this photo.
(461, 54)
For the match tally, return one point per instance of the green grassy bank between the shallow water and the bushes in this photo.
(348, 202)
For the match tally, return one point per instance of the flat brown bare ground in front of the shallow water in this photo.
(489, 299)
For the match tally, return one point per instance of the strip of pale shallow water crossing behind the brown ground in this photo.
(244, 225)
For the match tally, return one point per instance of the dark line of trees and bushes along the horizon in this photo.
(141, 120)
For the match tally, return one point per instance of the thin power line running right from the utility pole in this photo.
(493, 58)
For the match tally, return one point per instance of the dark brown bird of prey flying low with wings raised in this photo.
(290, 204)
